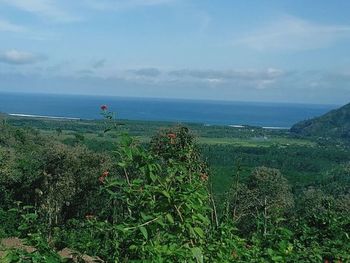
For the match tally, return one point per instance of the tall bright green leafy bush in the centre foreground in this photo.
(162, 202)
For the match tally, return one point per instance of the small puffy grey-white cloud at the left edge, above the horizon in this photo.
(16, 57)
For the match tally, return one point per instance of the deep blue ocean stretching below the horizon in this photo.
(175, 110)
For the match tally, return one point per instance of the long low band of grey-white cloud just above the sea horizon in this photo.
(271, 85)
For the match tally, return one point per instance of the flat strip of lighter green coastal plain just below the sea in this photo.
(213, 135)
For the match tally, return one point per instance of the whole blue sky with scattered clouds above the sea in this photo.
(293, 51)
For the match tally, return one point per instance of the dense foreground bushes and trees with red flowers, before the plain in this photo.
(155, 203)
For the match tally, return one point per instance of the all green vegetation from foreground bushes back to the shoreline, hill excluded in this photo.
(170, 196)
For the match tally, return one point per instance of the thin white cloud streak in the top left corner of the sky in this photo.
(44, 8)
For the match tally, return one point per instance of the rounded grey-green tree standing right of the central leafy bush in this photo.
(262, 201)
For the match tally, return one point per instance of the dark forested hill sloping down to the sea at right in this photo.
(335, 123)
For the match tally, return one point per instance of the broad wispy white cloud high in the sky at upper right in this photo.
(292, 33)
